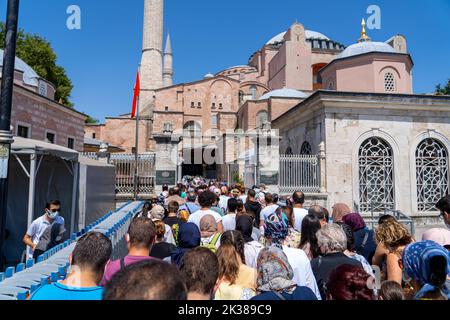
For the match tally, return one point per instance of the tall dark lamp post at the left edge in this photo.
(6, 136)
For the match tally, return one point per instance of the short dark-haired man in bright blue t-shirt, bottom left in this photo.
(87, 263)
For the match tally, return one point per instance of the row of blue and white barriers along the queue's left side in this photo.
(20, 282)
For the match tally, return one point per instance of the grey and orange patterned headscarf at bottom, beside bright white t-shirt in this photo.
(274, 271)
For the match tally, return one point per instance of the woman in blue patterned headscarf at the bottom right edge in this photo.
(427, 265)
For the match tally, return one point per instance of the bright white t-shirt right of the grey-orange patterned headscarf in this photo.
(303, 275)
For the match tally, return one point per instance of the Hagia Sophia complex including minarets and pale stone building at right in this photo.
(379, 143)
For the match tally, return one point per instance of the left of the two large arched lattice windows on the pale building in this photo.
(376, 176)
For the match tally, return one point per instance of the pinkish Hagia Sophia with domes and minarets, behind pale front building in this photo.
(286, 70)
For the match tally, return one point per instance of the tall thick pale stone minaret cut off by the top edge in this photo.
(151, 63)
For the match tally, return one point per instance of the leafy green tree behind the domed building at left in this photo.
(39, 55)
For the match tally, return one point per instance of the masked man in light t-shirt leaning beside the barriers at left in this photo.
(36, 230)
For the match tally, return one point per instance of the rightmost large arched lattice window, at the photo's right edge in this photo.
(431, 174)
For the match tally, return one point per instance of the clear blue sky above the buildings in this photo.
(210, 35)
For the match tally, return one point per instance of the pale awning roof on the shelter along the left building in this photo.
(30, 146)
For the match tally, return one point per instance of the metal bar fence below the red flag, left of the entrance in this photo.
(125, 171)
